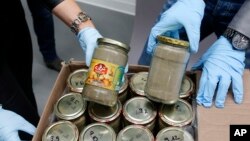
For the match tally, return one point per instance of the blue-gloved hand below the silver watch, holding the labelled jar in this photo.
(88, 41)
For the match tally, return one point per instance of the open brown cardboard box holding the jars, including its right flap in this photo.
(213, 123)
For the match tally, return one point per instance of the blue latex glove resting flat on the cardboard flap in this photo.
(221, 65)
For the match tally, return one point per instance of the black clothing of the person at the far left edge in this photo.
(16, 92)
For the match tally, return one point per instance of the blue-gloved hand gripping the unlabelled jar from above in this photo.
(187, 13)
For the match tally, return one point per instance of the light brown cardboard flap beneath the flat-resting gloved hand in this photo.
(214, 124)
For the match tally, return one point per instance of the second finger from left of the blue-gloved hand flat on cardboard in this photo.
(222, 90)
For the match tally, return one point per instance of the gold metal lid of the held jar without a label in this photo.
(173, 41)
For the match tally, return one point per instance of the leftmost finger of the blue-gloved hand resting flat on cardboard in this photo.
(209, 88)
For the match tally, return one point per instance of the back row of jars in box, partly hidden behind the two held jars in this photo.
(133, 86)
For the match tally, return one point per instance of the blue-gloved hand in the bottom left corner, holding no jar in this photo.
(10, 123)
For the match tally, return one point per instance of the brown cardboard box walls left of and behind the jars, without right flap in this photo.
(59, 89)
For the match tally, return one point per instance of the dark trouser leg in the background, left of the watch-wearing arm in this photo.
(44, 28)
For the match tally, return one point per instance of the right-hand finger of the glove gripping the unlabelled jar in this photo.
(193, 34)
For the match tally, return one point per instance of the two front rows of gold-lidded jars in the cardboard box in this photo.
(150, 120)
